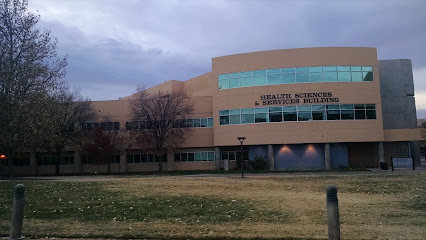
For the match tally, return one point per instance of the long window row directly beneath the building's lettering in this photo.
(298, 113)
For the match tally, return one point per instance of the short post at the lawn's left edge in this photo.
(18, 212)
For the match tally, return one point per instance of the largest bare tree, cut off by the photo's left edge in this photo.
(30, 70)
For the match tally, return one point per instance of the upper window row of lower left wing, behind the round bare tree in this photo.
(182, 123)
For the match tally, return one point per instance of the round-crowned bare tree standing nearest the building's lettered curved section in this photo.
(161, 118)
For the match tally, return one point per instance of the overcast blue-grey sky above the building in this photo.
(115, 45)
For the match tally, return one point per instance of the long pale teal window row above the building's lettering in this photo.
(296, 75)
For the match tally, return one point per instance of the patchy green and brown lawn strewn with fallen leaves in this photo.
(288, 206)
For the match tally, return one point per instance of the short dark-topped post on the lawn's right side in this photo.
(333, 213)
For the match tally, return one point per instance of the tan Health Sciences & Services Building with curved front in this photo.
(310, 108)
